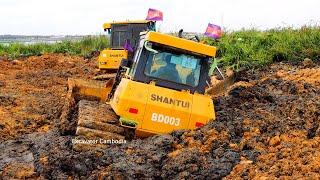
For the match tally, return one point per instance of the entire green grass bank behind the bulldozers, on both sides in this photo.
(238, 49)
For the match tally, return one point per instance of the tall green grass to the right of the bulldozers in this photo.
(253, 48)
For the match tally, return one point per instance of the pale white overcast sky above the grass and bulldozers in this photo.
(79, 17)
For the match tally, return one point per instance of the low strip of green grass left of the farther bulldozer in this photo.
(81, 47)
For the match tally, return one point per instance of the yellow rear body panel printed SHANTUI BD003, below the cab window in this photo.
(158, 110)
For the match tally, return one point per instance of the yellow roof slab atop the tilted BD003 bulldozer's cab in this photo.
(181, 43)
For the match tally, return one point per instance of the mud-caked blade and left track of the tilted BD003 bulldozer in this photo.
(87, 116)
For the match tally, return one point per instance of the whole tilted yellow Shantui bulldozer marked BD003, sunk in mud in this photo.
(159, 90)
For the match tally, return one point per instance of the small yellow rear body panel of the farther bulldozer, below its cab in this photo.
(111, 58)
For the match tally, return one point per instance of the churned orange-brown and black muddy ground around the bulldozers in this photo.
(267, 127)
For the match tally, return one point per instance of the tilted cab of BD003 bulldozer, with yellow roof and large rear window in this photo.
(172, 62)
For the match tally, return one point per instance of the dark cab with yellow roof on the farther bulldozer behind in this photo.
(129, 31)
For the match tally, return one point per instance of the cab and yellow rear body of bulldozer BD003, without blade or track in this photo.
(164, 88)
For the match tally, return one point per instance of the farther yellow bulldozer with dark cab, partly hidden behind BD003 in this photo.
(121, 34)
